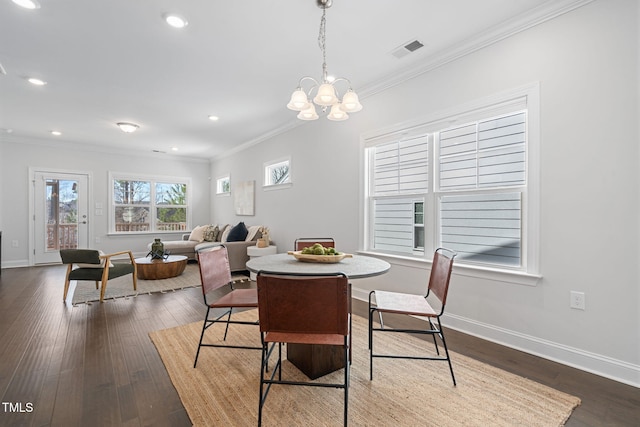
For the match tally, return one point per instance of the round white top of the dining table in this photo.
(358, 267)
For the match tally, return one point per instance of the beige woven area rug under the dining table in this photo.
(224, 388)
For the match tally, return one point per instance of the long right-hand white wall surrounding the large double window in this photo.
(586, 64)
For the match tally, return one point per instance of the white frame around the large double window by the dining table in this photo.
(495, 105)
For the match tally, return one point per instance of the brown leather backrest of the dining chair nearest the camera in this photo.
(303, 304)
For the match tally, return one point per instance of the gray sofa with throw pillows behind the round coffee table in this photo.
(190, 245)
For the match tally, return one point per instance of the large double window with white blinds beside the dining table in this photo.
(466, 186)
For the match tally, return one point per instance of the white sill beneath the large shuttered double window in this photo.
(508, 276)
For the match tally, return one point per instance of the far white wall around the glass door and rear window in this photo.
(16, 159)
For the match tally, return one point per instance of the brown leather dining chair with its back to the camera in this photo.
(299, 309)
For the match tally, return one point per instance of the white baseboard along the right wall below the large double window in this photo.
(594, 363)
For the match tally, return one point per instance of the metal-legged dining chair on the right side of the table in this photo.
(416, 305)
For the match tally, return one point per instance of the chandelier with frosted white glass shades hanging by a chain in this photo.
(326, 94)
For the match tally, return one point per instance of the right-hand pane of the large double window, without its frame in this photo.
(483, 163)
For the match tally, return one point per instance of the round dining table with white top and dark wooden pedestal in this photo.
(316, 360)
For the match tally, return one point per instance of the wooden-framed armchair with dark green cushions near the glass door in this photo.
(90, 264)
